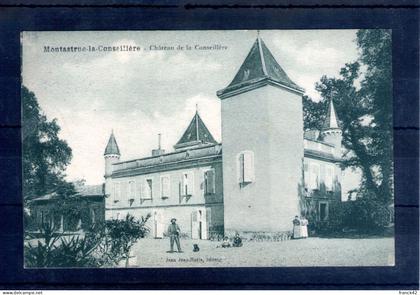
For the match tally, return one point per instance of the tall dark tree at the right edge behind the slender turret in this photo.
(365, 112)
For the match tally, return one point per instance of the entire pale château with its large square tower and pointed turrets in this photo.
(256, 180)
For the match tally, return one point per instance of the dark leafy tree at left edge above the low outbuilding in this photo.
(44, 155)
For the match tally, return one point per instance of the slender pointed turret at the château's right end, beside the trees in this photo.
(331, 132)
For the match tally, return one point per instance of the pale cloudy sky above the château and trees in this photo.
(143, 93)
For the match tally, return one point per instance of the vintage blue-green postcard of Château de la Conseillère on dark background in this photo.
(268, 148)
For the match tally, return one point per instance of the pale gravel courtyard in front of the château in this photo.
(307, 252)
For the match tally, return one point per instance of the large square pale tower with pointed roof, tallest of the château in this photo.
(262, 136)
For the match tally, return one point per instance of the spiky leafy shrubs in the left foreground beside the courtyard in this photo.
(106, 244)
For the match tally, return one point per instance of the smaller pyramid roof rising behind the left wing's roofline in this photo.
(196, 133)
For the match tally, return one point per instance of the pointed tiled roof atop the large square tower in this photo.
(259, 69)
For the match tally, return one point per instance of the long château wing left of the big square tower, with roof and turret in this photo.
(185, 184)
